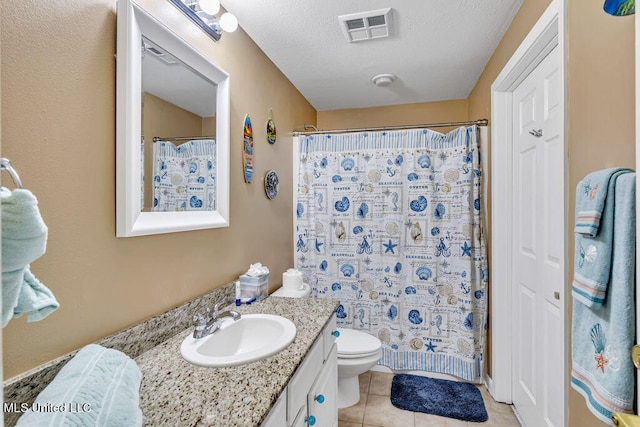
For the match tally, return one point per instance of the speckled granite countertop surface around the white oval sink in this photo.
(175, 392)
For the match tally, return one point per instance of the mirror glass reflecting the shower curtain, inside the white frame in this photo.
(178, 134)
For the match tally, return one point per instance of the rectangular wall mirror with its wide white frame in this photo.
(184, 99)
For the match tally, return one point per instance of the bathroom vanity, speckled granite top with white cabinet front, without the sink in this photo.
(295, 387)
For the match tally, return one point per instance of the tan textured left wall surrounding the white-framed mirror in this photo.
(58, 129)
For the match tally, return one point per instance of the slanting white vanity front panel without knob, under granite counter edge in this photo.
(303, 379)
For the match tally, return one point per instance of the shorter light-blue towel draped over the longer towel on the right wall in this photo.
(592, 261)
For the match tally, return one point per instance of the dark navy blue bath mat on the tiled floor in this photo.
(451, 399)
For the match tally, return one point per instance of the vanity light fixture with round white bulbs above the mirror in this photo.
(203, 13)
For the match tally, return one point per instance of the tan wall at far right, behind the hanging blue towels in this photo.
(601, 113)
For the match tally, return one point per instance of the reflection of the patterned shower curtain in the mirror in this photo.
(184, 176)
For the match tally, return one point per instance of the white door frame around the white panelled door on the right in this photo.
(548, 32)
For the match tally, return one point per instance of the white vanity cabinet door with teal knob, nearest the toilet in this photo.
(322, 399)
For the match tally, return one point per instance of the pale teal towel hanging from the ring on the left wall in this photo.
(24, 239)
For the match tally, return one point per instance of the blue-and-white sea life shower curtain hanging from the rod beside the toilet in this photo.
(390, 224)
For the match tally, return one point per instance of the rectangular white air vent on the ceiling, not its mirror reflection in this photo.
(366, 25)
